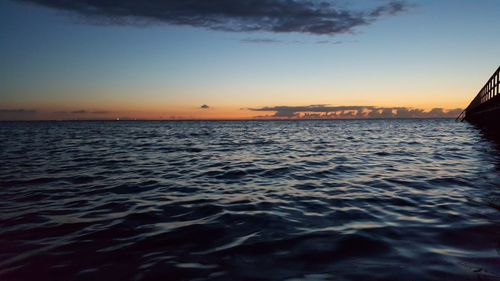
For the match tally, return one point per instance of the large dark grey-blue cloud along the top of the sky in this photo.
(280, 16)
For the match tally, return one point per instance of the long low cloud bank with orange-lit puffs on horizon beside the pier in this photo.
(325, 112)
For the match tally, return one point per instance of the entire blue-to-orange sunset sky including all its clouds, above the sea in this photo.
(226, 59)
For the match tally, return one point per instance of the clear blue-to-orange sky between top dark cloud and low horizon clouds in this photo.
(434, 54)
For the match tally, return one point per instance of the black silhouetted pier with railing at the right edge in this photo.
(484, 110)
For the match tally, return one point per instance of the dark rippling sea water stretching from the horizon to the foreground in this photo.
(315, 200)
